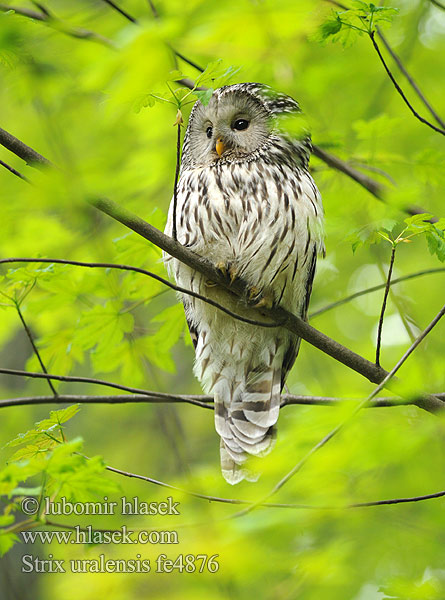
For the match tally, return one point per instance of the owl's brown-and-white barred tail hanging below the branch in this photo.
(245, 417)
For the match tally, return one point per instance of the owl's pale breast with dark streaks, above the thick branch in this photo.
(260, 217)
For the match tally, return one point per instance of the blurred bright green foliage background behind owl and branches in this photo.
(81, 103)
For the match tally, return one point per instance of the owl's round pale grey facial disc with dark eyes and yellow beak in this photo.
(232, 126)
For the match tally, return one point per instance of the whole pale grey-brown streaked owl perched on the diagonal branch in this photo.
(246, 202)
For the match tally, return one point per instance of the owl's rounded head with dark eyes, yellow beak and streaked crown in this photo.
(237, 122)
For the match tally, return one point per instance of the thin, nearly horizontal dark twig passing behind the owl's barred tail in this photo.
(202, 401)
